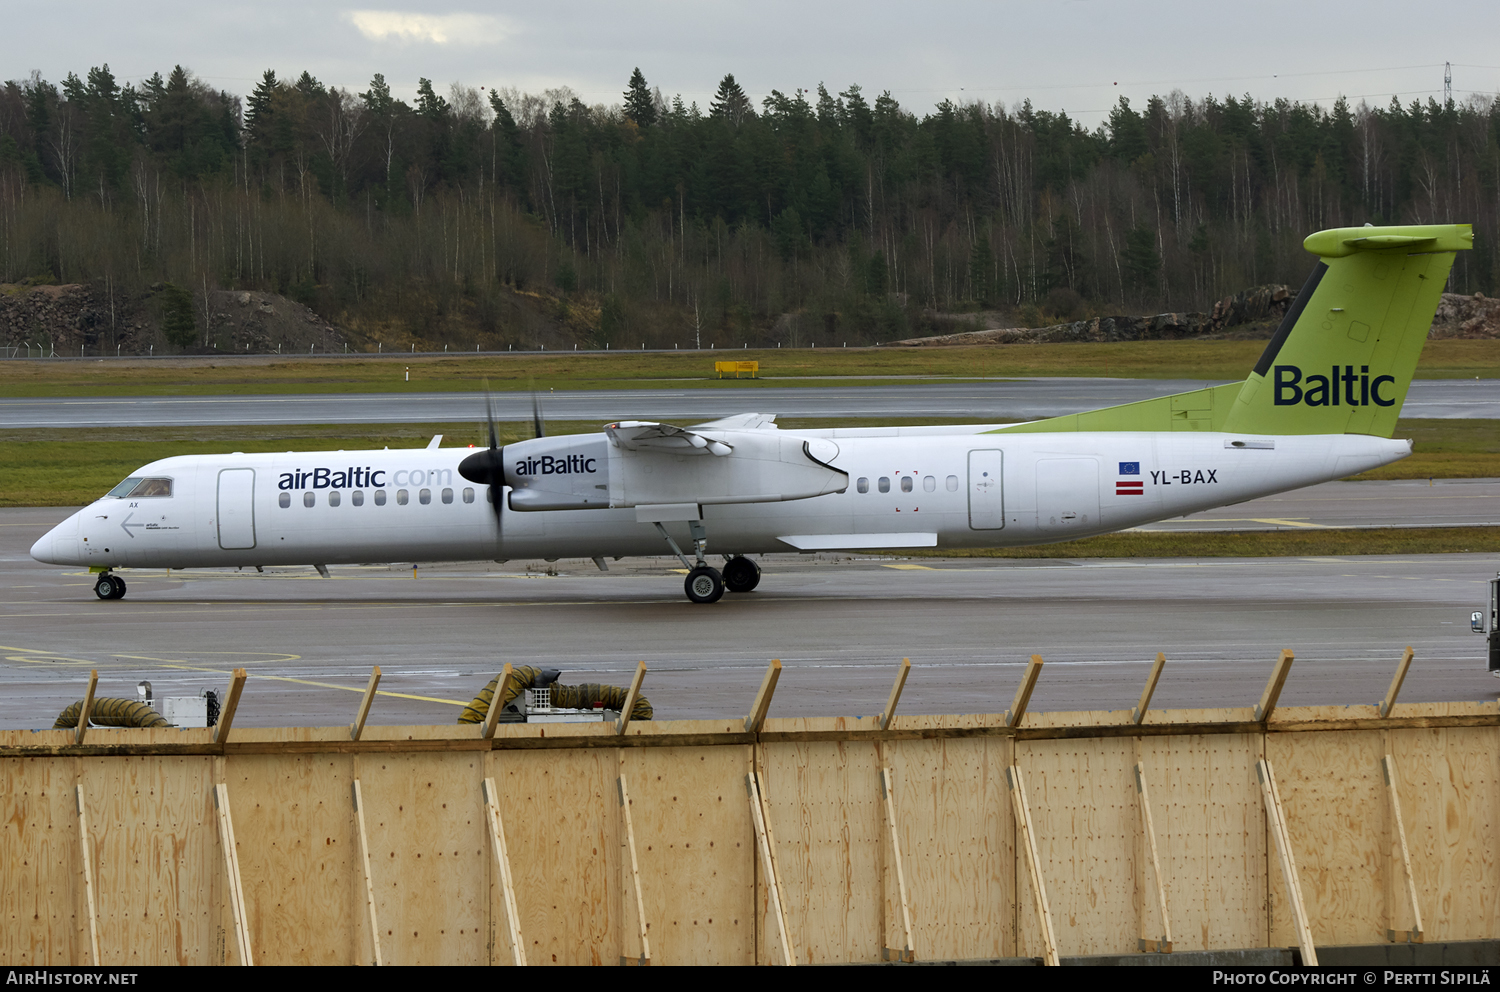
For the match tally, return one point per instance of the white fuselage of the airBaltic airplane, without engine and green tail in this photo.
(941, 491)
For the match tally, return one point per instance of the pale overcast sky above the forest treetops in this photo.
(1073, 55)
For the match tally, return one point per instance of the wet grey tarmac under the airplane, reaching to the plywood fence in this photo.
(839, 624)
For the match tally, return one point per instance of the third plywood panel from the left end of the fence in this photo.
(299, 859)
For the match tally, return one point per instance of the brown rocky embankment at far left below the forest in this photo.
(62, 319)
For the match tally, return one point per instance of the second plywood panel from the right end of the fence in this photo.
(1333, 793)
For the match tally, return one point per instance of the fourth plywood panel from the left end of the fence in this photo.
(428, 858)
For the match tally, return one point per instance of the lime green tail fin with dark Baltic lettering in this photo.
(1342, 361)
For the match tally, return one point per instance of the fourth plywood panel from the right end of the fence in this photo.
(1082, 801)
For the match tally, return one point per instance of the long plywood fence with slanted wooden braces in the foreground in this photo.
(757, 841)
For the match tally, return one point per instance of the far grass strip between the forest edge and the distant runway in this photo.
(812, 367)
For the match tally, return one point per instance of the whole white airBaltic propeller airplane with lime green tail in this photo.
(1321, 404)
